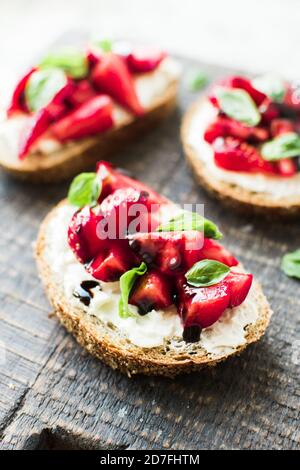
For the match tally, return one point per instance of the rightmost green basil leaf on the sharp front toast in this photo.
(206, 273)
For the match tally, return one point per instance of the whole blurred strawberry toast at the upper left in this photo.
(77, 105)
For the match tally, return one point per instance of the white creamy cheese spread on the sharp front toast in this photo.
(145, 331)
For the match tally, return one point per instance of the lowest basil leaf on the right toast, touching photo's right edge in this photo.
(284, 146)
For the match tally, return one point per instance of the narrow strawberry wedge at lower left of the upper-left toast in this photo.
(35, 127)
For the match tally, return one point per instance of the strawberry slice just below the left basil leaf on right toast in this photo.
(224, 127)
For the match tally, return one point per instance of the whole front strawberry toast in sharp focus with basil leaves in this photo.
(143, 284)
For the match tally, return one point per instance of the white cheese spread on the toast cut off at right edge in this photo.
(277, 187)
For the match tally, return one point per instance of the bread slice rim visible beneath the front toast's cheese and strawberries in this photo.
(107, 343)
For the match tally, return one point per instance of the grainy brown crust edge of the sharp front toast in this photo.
(136, 360)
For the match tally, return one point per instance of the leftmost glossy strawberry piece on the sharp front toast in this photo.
(83, 235)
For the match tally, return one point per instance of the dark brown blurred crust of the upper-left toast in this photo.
(82, 155)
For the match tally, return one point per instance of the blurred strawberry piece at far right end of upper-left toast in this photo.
(145, 59)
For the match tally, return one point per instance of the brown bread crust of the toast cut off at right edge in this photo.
(233, 194)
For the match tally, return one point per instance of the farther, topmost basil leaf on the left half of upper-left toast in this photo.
(73, 61)
